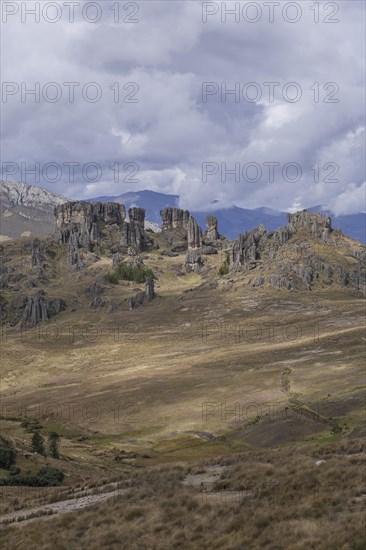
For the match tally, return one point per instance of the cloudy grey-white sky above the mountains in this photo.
(163, 121)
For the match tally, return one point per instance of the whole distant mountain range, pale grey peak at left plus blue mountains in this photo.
(27, 209)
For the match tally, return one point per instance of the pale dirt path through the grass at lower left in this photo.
(22, 517)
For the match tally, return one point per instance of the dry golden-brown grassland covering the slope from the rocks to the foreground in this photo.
(269, 381)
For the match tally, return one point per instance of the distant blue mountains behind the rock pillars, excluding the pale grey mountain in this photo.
(235, 220)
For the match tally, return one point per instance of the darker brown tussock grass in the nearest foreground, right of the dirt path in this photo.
(275, 499)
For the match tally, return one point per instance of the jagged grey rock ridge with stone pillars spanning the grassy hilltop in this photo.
(305, 254)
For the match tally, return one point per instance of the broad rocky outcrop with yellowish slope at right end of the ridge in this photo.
(296, 256)
